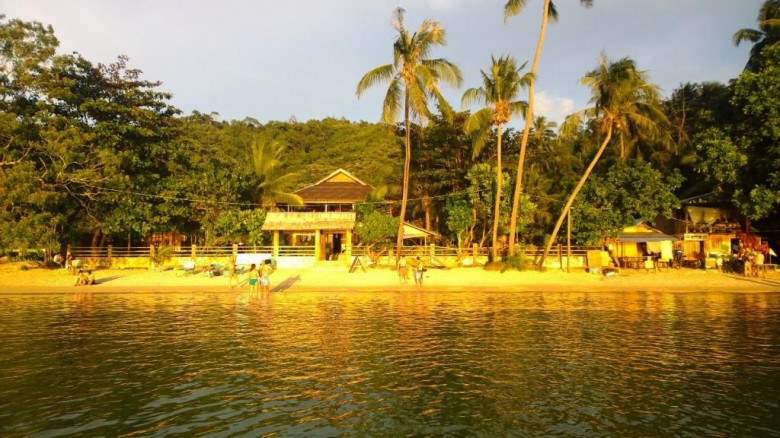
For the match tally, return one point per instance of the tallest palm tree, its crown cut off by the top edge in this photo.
(512, 8)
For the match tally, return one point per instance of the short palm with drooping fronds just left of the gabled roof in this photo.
(266, 164)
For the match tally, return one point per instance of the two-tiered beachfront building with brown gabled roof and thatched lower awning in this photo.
(326, 220)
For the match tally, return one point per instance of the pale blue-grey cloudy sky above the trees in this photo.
(275, 59)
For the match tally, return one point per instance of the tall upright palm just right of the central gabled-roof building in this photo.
(414, 79)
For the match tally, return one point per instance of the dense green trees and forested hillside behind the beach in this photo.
(94, 154)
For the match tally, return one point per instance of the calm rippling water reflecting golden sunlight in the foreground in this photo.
(390, 364)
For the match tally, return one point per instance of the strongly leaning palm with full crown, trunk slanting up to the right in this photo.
(621, 95)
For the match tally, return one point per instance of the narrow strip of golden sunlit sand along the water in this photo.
(39, 280)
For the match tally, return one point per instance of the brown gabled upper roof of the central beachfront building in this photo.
(340, 187)
